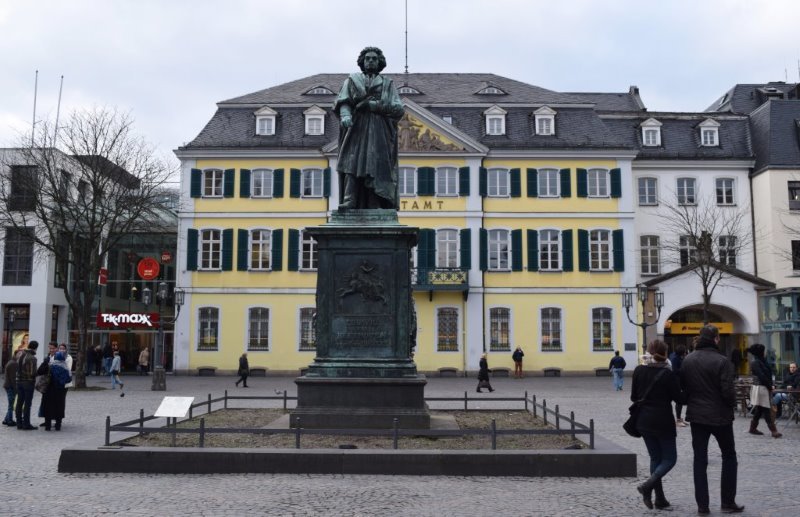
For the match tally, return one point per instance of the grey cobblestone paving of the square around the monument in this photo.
(769, 469)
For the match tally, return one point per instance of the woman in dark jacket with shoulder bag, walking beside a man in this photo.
(656, 422)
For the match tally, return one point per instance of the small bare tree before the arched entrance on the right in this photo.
(707, 239)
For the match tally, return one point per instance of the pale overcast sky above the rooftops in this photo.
(169, 62)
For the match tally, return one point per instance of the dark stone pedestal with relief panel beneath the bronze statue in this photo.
(363, 374)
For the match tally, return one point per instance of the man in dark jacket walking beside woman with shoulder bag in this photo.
(707, 380)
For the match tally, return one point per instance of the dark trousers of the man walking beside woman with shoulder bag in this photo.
(724, 436)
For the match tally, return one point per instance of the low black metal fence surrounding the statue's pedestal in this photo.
(564, 425)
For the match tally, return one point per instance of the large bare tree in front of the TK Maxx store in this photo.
(76, 191)
